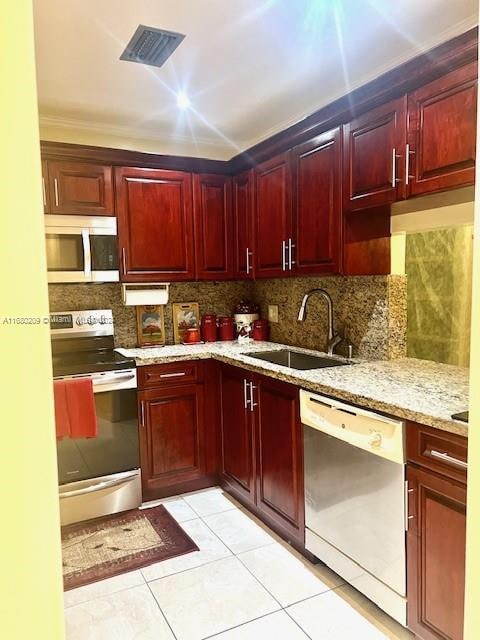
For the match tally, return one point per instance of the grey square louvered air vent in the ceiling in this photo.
(151, 46)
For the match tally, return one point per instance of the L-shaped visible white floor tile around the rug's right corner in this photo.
(210, 549)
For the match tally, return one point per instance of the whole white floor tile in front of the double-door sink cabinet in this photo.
(237, 531)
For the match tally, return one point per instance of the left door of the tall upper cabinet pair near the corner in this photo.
(273, 222)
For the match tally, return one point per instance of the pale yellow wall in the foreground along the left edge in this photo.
(31, 598)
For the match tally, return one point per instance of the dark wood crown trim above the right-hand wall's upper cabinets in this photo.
(393, 84)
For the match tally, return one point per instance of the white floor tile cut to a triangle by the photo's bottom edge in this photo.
(276, 626)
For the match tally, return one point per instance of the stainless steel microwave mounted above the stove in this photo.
(81, 248)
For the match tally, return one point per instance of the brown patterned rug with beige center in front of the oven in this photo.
(108, 546)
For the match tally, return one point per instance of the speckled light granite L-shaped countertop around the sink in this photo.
(419, 390)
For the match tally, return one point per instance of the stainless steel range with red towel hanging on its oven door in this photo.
(101, 475)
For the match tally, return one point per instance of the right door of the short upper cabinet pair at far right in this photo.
(442, 132)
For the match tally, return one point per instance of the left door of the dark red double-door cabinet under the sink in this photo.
(237, 433)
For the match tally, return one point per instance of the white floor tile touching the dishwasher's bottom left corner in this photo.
(286, 577)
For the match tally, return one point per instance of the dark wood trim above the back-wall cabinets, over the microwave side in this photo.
(123, 158)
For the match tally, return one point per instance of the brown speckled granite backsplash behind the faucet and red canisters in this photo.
(369, 311)
